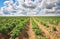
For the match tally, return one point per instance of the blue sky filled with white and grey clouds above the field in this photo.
(30, 8)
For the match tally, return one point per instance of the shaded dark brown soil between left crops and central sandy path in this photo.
(24, 34)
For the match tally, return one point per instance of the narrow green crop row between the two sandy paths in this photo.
(38, 32)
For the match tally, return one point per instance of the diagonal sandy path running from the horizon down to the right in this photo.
(44, 29)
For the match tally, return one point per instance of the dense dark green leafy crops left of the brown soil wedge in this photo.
(12, 26)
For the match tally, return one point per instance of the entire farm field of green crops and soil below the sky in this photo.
(36, 27)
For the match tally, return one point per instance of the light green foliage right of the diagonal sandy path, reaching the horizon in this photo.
(48, 20)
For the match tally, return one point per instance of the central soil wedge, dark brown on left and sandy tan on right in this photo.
(27, 33)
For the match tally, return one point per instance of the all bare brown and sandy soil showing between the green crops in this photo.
(28, 32)
